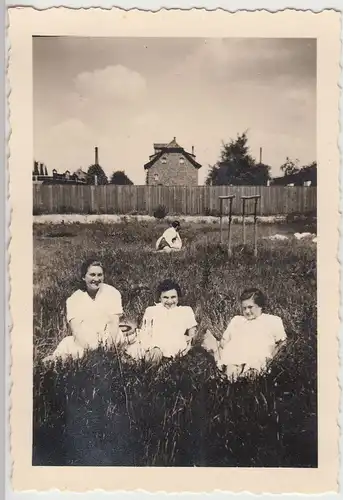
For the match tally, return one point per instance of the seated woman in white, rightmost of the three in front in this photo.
(250, 340)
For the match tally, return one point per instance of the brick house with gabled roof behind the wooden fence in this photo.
(171, 165)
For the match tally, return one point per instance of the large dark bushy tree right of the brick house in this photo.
(237, 167)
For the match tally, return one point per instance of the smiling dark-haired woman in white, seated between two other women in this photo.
(167, 327)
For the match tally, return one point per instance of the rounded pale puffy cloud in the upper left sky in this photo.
(113, 83)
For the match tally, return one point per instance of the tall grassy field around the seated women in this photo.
(103, 410)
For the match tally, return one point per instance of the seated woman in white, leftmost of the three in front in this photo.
(93, 313)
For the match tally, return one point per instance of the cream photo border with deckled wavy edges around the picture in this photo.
(324, 26)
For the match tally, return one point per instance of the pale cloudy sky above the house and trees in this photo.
(125, 94)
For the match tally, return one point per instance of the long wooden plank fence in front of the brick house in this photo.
(179, 200)
